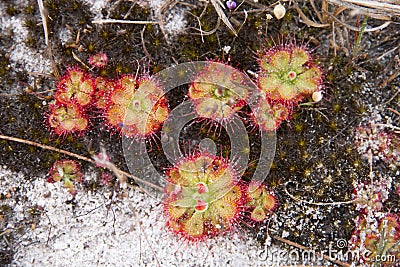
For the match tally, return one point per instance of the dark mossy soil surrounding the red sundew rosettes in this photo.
(315, 154)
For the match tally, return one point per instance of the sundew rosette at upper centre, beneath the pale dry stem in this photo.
(218, 92)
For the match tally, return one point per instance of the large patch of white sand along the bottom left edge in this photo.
(93, 235)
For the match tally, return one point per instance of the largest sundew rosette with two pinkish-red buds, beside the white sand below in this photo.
(203, 197)
